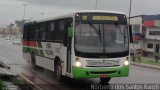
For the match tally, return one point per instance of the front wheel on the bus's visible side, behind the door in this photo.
(58, 71)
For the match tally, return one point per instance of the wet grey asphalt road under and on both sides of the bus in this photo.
(13, 55)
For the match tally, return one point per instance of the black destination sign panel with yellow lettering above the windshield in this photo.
(100, 17)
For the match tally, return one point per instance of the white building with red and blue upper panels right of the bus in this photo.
(148, 26)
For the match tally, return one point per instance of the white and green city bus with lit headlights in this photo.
(81, 44)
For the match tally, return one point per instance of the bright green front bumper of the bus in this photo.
(97, 72)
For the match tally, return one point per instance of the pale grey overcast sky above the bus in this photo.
(11, 10)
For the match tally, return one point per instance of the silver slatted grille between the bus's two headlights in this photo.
(103, 63)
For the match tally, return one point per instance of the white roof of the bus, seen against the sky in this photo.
(71, 14)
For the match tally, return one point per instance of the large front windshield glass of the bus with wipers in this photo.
(101, 38)
